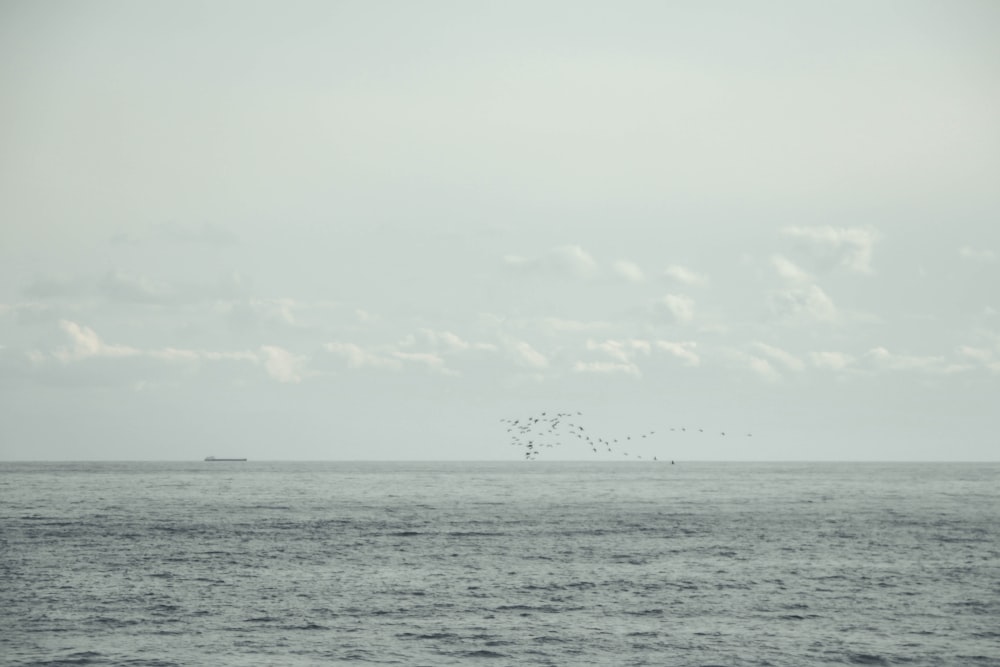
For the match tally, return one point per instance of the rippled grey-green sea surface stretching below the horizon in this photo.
(508, 563)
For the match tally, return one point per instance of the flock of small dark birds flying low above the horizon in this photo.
(551, 429)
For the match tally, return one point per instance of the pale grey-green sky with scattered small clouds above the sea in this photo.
(372, 230)
